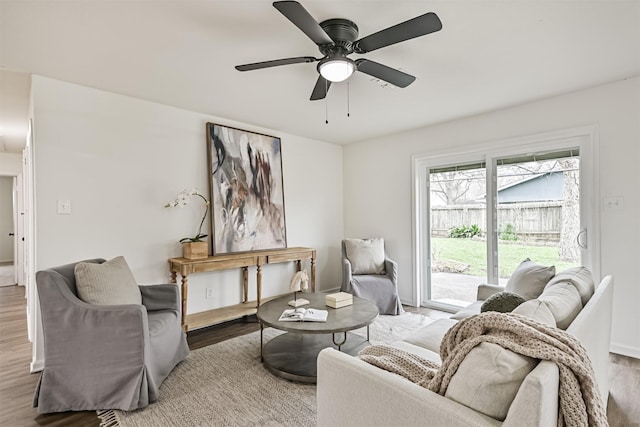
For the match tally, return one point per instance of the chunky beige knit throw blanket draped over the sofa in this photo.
(580, 404)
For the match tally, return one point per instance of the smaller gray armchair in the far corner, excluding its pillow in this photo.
(381, 289)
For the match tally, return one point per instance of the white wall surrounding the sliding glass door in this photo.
(377, 177)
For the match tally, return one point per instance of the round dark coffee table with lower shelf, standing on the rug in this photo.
(293, 355)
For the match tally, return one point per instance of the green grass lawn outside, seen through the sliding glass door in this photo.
(474, 253)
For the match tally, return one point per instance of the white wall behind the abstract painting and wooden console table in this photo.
(120, 159)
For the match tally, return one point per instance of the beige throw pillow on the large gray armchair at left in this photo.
(109, 283)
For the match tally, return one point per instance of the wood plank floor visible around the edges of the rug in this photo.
(17, 385)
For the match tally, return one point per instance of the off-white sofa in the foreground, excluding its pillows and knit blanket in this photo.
(351, 392)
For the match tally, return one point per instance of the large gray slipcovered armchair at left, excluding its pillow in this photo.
(105, 356)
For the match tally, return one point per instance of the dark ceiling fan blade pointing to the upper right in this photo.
(416, 27)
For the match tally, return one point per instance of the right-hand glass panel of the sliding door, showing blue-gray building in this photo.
(538, 210)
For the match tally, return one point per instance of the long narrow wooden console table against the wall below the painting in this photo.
(184, 267)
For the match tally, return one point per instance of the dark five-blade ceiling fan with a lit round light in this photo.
(337, 38)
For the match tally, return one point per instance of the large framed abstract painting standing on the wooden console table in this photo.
(247, 194)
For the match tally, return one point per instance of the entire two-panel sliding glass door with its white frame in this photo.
(479, 216)
